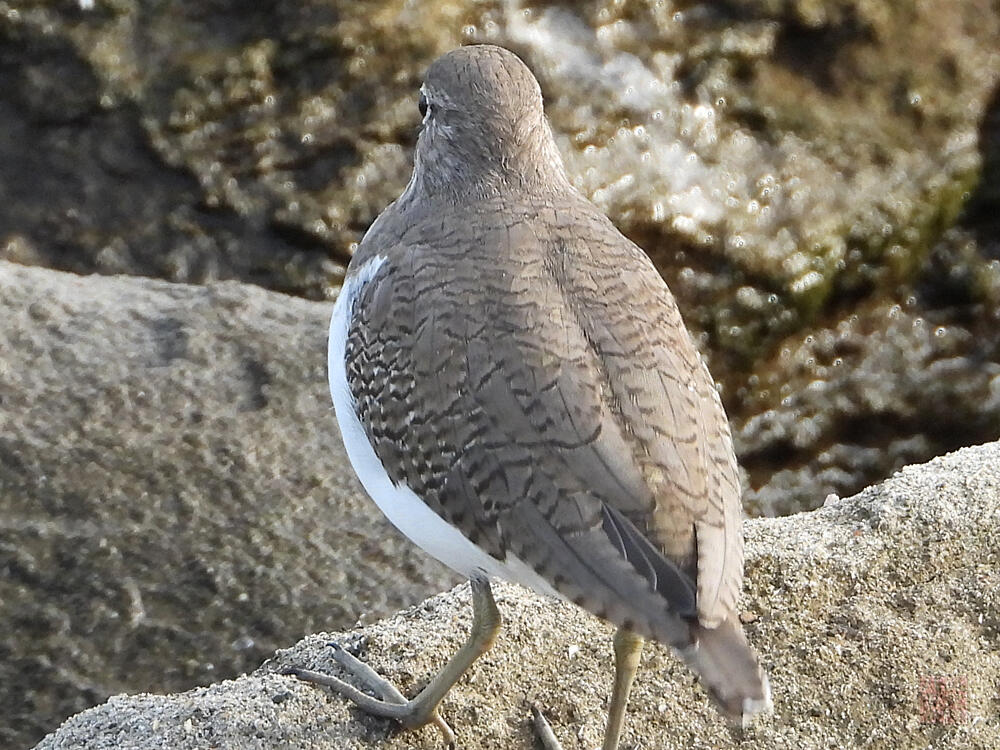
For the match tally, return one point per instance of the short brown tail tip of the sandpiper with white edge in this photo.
(729, 670)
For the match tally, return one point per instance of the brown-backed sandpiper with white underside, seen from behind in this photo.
(517, 392)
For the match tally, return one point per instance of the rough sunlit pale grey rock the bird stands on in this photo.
(877, 617)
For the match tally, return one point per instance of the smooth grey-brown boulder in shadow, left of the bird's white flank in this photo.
(174, 498)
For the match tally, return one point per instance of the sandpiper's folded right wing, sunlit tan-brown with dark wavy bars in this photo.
(661, 389)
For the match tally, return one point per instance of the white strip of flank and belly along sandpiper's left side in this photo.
(399, 503)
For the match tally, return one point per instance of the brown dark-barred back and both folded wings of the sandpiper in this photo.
(553, 413)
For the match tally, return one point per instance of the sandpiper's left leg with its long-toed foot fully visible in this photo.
(424, 708)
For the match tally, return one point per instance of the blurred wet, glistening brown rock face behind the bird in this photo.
(794, 168)
